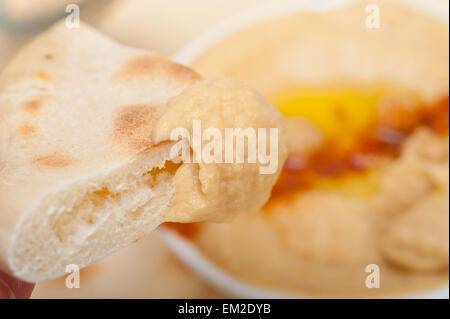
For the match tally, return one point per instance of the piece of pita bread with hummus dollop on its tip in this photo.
(85, 150)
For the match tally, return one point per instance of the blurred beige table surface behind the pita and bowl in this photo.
(158, 25)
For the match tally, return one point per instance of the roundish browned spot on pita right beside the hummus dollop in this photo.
(133, 126)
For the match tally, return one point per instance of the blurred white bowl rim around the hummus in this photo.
(183, 248)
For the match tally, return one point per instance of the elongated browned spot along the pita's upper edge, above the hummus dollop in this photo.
(152, 65)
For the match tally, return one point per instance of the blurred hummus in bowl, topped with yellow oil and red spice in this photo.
(361, 206)
